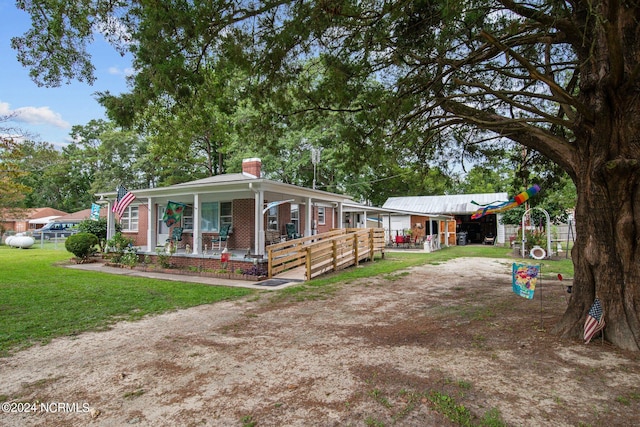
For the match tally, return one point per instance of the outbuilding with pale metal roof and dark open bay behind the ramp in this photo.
(457, 206)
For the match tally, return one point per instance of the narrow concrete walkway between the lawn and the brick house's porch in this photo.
(270, 284)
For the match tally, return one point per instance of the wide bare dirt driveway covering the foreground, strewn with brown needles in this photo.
(416, 348)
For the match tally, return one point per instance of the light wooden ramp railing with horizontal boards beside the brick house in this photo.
(326, 252)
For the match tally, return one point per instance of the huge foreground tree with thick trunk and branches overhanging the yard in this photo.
(560, 78)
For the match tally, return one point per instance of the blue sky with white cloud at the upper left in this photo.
(49, 113)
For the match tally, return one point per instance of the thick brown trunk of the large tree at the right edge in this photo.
(606, 173)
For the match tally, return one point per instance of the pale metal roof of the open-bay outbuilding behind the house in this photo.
(459, 204)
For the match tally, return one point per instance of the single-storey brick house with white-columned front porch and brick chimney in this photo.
(257, 210)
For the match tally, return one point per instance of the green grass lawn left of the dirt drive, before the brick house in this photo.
(40, 301)
